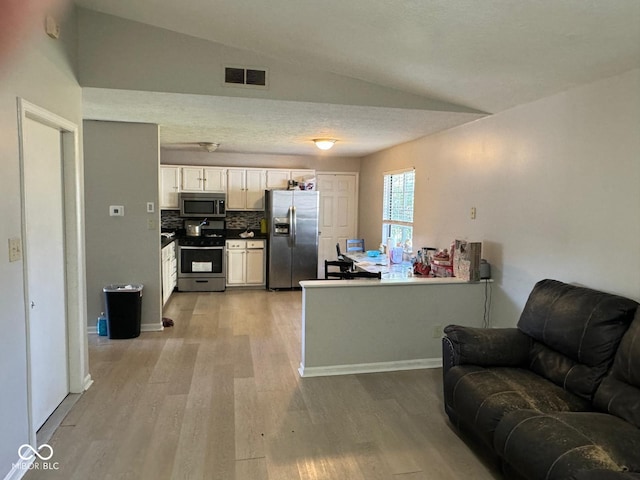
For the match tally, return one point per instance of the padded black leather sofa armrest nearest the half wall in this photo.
(485, 347)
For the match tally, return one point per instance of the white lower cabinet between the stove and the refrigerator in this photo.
(245, 263)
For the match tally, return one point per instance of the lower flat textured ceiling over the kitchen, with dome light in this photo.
(267, 126)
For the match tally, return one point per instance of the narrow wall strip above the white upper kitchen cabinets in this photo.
(318, 163)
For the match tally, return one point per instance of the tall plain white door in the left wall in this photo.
(45, 267)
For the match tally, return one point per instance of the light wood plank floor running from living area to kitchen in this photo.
(218, 396)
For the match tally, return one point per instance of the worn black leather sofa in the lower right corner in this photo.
(558, 397)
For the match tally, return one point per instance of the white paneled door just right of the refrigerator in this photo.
(337, 220)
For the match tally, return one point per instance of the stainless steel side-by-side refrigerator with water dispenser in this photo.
(293, 237)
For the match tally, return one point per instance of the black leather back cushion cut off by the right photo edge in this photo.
(619, 393)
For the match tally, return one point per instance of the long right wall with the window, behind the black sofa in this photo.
(555, 183)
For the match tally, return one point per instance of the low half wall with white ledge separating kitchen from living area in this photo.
(360, 326)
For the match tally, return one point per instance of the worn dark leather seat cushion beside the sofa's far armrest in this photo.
(480, 397)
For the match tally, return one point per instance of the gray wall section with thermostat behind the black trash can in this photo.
(121, 168)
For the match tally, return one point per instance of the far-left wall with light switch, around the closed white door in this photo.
(42, 73)
